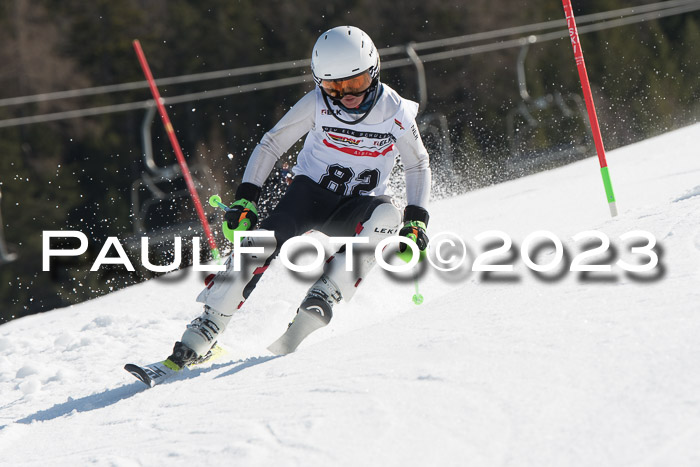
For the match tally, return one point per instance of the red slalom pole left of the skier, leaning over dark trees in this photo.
(176, 147)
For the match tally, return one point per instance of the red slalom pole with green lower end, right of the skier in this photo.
(590, 107)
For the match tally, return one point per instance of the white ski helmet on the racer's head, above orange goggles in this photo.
(344, 52)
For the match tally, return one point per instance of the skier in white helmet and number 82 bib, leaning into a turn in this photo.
(356, 126)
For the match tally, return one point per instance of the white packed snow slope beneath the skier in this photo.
(508, 368)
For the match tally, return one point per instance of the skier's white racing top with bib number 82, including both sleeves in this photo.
(349, 158)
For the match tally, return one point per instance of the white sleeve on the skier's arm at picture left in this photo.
(298, 121)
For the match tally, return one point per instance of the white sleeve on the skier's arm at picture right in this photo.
(416, 165)
